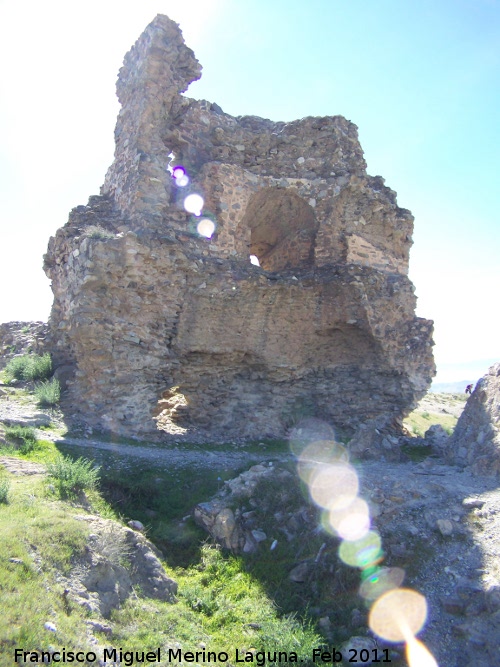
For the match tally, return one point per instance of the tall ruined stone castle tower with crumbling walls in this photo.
(159, 328)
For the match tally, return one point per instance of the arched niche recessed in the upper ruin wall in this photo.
(282, 229)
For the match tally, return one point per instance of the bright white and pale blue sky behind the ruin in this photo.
(420, 78)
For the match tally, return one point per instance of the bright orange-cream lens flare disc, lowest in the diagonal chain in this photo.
(398, 615)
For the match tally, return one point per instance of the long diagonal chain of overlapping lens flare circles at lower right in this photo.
(397, 614)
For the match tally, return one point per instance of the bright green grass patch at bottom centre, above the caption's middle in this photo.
(220, 605)
